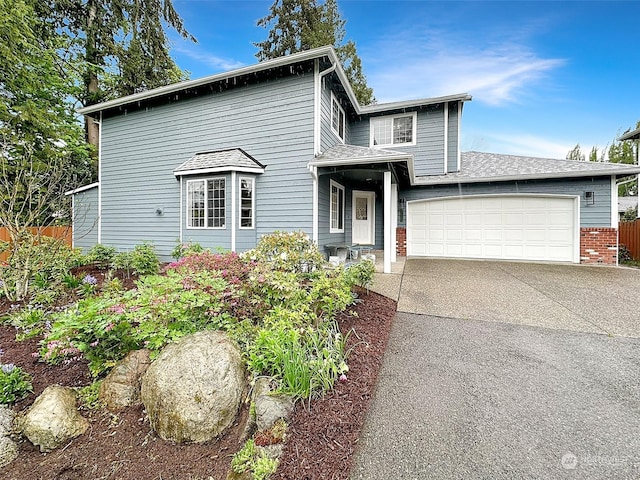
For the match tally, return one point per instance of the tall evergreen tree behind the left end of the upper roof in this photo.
(122, 46)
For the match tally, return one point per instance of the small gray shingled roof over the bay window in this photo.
(234, 159)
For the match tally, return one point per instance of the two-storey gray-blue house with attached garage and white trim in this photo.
(284, 145)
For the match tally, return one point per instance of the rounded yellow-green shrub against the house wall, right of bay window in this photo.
(288, 252)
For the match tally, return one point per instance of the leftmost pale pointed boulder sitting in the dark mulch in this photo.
(53, 419)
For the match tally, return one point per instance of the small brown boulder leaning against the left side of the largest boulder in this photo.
(121, 388)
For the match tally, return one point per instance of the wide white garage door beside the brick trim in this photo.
(515, 227)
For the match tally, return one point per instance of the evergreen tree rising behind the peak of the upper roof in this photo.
(298, 25)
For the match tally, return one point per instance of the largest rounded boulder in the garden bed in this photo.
(193, 390)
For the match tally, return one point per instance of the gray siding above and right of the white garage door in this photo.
(597, 215)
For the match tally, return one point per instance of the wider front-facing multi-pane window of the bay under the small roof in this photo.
(206, 203)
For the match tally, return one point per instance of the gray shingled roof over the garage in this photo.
(491, 167)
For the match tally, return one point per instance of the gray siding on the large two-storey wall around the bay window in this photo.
(272, 121)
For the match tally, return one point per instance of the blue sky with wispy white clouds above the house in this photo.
(544, 75)
